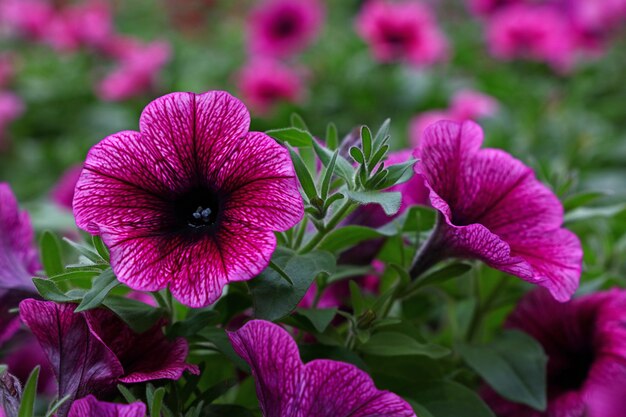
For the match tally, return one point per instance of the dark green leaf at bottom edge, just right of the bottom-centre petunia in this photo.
(450, 399)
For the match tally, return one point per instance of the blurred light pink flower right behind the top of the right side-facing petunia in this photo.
(465, 105)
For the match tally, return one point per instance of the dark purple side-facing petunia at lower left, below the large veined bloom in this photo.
(92, 351)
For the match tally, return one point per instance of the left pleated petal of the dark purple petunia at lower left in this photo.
(81, 364)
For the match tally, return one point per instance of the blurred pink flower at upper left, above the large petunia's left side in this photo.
(139, 65)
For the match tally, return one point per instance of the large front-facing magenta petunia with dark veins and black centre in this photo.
(192, 200)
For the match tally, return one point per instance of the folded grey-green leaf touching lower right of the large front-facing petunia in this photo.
(274, 298)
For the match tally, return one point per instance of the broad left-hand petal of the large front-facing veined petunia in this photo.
(124, 183)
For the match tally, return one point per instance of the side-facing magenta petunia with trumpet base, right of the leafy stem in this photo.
(494, 209)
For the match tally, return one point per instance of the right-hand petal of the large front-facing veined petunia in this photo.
(264, 191)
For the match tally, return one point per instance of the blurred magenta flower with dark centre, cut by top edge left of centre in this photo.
(283, 27)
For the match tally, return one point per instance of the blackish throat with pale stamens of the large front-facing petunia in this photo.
(197, 209)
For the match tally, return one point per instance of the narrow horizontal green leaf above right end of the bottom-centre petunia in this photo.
(399, 344)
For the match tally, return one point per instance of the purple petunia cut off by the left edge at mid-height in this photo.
(19, 261)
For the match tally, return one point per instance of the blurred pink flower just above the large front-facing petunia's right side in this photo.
(265, 82)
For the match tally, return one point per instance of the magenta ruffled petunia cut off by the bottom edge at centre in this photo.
(322, 388)
